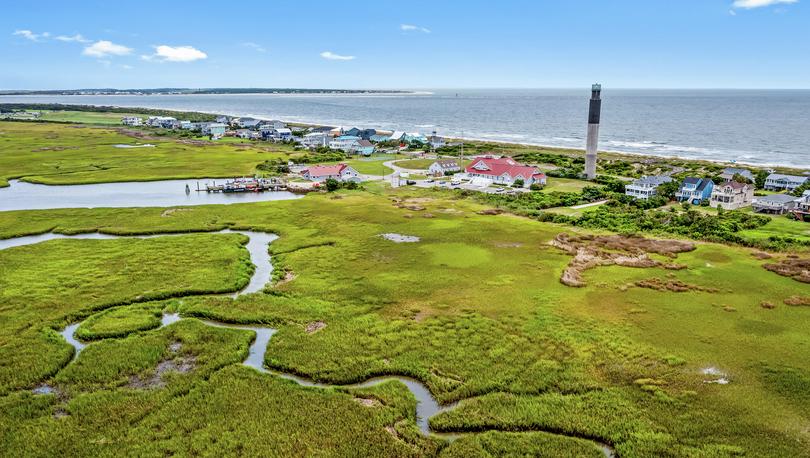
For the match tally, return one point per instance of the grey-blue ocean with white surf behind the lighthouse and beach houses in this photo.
(760, 127)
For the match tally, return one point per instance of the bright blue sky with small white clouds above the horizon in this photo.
(406, 44)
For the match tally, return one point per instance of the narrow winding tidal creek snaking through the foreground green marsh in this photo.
(427, 405)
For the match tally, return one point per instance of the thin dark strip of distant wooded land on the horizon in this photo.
(224, 90)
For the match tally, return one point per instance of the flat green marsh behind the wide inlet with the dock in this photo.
(75, 154)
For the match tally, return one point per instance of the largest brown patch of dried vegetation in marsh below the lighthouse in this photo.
(629, 251)
